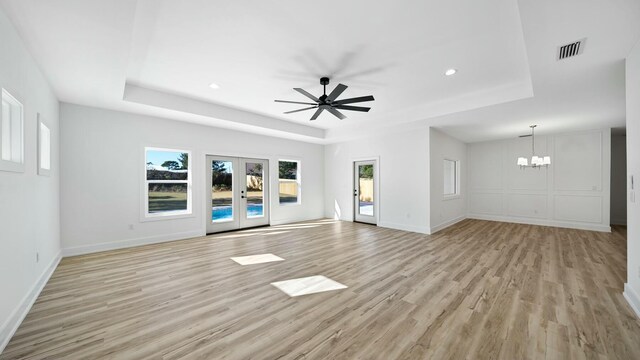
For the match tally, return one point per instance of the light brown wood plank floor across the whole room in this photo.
(478, 290)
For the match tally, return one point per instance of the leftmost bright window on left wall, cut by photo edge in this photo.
(11, 134)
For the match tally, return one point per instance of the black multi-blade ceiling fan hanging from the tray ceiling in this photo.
(329, 102)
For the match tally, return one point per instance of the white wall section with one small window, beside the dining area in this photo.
(446, 211)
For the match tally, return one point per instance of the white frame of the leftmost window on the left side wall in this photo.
(10, 165)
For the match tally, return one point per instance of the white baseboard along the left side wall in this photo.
(10, 327)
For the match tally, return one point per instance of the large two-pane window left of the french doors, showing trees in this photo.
(167, 182)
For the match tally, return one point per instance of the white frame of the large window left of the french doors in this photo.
(166, 215)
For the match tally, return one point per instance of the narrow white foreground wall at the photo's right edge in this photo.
(632, 287)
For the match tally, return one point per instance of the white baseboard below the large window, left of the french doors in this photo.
(114, 245)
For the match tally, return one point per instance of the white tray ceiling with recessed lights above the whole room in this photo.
(168, 52)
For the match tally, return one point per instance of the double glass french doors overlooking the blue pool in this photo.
(237, 189)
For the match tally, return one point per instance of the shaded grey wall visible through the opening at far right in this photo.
(618, 179)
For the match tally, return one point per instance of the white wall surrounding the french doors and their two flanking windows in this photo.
(101, 175)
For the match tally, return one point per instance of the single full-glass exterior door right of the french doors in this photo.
(364, 193)
